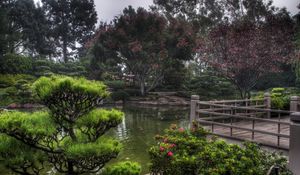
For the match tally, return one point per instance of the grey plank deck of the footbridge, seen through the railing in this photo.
(264, 139)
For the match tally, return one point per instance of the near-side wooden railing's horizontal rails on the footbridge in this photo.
(215, 112)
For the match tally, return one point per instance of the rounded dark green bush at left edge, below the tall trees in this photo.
(15, 64)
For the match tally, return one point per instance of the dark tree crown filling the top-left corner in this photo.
(24, 28)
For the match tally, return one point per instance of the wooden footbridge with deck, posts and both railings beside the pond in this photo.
(243, 116)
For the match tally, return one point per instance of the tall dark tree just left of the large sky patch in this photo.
(72, 23)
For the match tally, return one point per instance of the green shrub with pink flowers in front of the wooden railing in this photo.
(182, 151)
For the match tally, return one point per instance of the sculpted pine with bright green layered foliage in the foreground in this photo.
(68, 136)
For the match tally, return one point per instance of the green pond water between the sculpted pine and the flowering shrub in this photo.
(141, 124)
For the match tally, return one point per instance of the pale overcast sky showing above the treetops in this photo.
(108, 9)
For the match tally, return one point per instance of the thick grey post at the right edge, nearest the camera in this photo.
(294, 152)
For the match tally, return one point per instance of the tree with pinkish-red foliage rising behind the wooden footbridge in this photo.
(243, 51)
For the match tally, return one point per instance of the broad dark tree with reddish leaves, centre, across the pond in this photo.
(144, 42)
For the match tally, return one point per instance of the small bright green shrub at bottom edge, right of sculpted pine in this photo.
(123, 168)
